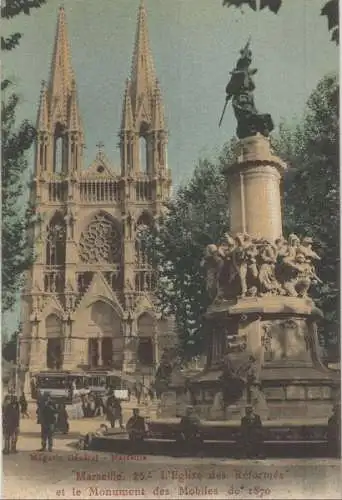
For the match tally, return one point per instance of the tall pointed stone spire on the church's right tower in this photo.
(143, 74)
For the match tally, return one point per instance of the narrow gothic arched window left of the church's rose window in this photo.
(55, 244)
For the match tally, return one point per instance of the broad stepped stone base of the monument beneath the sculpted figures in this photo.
(280, 334)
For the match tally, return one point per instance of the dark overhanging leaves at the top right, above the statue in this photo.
(329, 9)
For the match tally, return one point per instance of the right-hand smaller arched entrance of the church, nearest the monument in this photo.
(146, 334)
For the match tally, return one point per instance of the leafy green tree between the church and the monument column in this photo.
(196, 217)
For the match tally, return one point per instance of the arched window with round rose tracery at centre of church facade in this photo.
(101, 242)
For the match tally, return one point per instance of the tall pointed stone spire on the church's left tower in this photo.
(61, 69)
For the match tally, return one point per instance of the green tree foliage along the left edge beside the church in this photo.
(16, 141)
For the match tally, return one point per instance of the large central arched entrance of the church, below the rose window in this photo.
(105, 340)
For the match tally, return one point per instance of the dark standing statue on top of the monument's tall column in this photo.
(240, 90)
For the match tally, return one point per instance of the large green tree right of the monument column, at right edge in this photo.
(312, 206)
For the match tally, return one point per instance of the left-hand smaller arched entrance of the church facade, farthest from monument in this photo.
(55, 344)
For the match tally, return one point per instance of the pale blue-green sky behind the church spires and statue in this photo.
(195, 44)
